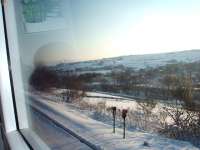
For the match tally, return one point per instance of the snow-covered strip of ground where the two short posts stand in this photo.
(99, 133)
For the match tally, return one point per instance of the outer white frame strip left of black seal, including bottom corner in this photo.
(13, 136)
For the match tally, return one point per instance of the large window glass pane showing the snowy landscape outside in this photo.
(109, 74)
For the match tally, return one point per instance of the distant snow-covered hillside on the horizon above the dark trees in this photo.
(132, 61)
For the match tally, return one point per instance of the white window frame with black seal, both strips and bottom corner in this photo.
(14, 119)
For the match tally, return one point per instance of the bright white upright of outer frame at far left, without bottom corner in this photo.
(5, 86)
